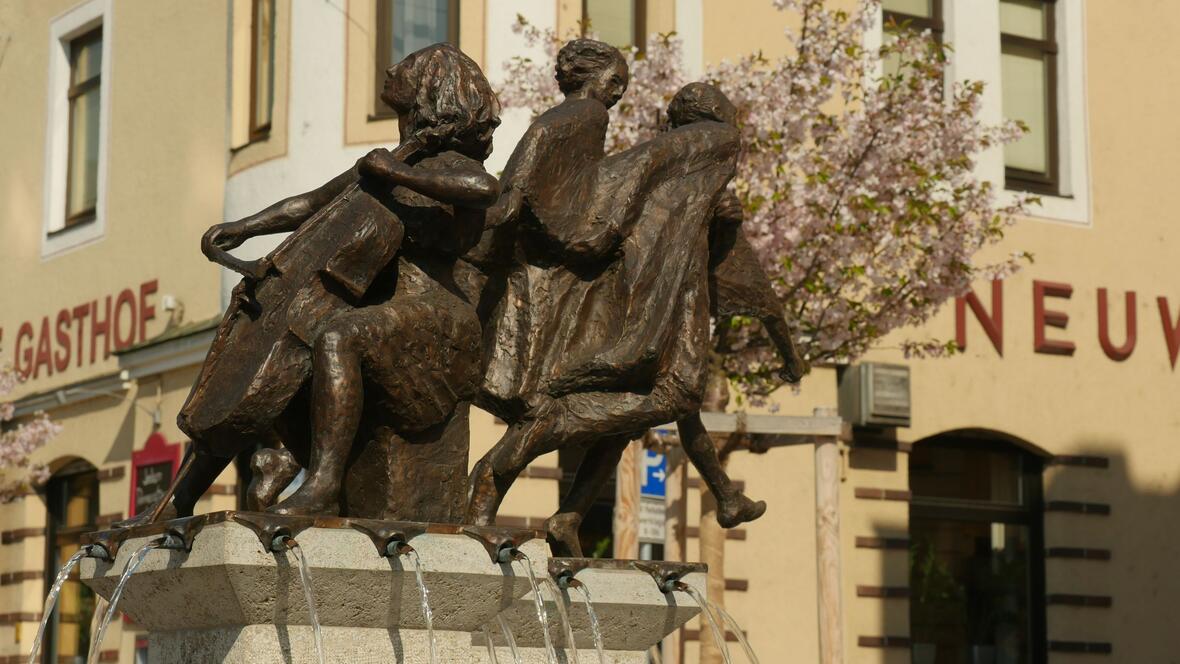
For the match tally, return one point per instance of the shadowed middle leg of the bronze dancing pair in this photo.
(601, 461)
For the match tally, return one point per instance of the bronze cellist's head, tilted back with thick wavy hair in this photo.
(443, 98)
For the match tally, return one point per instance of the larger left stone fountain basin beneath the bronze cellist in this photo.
(230, 581)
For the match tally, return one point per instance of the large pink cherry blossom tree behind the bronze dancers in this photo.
(857, 176)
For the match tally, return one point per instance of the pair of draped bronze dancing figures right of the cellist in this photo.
(602, 332)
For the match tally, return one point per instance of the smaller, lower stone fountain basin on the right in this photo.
(633, 613)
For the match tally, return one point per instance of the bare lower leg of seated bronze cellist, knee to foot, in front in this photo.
(337, 398)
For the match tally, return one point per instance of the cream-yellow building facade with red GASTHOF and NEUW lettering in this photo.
(1022, 516)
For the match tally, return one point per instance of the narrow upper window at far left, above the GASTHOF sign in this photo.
(86, 106)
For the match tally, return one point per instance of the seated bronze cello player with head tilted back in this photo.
(360, 298)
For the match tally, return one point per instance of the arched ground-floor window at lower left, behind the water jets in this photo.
(71, 499)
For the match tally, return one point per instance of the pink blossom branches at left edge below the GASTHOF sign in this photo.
(18, 442)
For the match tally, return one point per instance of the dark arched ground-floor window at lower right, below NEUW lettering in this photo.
(978, 568)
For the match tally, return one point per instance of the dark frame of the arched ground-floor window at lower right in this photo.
(1031, 515)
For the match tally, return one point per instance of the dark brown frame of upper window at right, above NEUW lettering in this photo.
(1020, 180)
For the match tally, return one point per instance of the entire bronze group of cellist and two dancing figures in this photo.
(587, 284)
